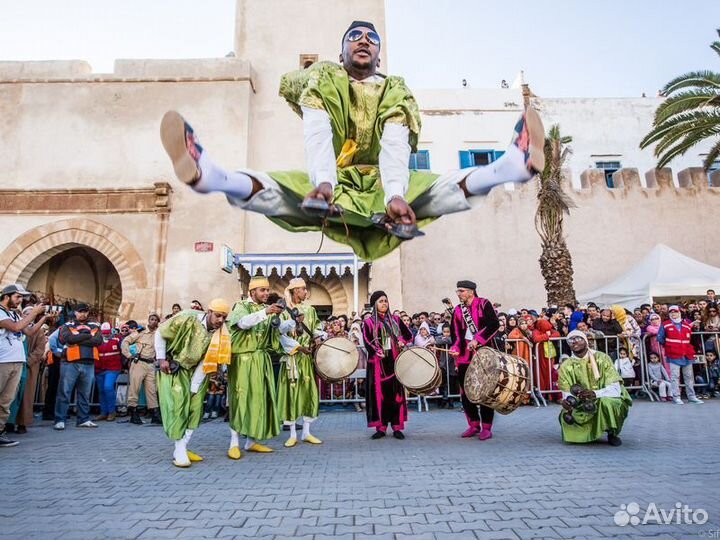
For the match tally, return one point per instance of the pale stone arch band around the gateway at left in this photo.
(28, 252)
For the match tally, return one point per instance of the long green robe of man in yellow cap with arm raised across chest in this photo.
(251, 382)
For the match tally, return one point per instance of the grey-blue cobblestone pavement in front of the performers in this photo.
(118, 482)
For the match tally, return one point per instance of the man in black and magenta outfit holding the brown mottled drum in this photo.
(474, 323)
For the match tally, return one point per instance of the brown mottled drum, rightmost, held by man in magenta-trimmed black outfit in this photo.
(497, 380)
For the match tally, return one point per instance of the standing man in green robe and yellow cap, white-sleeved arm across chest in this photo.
(251, 383)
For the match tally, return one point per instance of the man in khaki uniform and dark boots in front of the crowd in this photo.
(141, 371)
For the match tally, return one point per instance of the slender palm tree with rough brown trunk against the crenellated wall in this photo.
(553, 204)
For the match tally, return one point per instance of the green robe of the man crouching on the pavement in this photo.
(611, 412)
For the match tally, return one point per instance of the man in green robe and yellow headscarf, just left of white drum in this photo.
(298, 394)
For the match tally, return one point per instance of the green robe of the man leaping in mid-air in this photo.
(358, 112)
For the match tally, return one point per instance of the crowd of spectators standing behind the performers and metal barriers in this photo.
(35, 344)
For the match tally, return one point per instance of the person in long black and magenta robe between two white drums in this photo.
(384, 335)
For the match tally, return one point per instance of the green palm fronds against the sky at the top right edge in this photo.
(689, 115)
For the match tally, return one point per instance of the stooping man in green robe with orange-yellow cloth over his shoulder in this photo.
(188, 347)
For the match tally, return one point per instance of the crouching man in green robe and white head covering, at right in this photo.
(589, 377)
